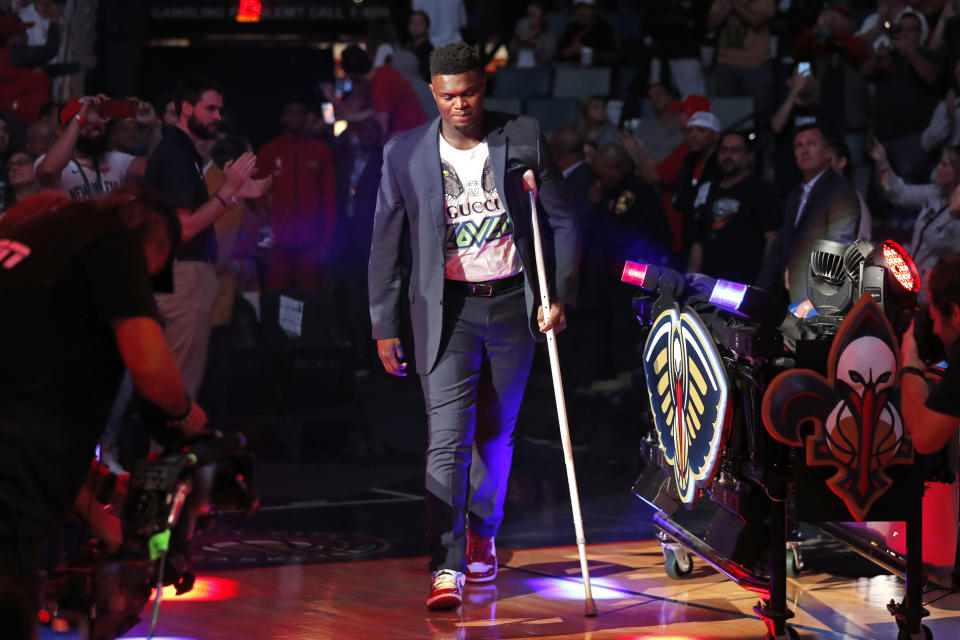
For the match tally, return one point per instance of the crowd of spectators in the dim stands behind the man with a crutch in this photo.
(851, 106)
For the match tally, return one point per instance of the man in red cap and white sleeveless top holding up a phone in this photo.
(79, 164)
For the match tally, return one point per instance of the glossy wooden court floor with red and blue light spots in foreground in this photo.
(535, 596)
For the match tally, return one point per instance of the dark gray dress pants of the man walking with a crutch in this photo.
(473, 396)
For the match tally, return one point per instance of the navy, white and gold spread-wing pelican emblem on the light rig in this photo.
(687, 385)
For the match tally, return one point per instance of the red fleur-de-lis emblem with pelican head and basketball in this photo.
(856, 420)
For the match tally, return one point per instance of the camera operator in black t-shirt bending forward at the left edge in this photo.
(78, 307)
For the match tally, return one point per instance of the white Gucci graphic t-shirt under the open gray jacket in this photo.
(479, 244)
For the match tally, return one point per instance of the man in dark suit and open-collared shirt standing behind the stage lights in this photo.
(823, 207)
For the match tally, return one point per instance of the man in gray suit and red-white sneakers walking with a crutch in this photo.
(455, 184)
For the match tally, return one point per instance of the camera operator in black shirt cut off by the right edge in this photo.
(933, 415)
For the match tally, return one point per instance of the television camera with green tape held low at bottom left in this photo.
(99, 595)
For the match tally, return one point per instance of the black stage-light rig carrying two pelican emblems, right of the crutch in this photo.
(763, 414)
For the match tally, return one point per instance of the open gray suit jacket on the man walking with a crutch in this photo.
(411, 197)
